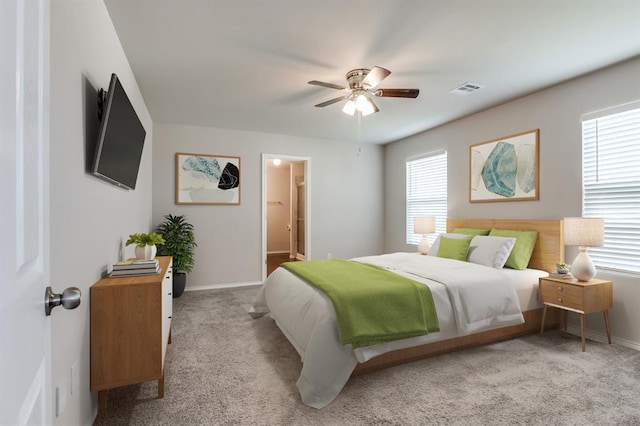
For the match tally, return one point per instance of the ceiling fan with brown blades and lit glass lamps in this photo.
(362, 87)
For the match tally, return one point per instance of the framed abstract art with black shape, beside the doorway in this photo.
(205, 179)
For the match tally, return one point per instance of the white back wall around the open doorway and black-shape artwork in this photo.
(343, 185)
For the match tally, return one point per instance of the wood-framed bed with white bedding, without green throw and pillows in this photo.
(307, 318)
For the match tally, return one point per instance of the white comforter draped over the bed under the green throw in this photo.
(469, 298)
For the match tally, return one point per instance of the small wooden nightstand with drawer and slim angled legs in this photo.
(576, 296)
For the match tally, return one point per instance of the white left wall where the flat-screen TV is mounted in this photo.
(90, 218)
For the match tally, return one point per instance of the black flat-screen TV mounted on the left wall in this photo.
(120, 138)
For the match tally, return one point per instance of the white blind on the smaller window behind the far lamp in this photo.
(427, 192)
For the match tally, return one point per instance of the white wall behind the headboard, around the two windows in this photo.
(556, 112)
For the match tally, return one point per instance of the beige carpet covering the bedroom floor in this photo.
(223, 368)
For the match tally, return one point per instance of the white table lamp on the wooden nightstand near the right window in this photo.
(583, 232)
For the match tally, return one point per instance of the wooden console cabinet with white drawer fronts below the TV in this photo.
(130, 330)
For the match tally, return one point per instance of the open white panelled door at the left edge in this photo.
(25, 335)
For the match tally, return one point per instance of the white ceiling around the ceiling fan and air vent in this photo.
(244, 64)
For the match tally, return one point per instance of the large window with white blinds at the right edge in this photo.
(611, 184)
